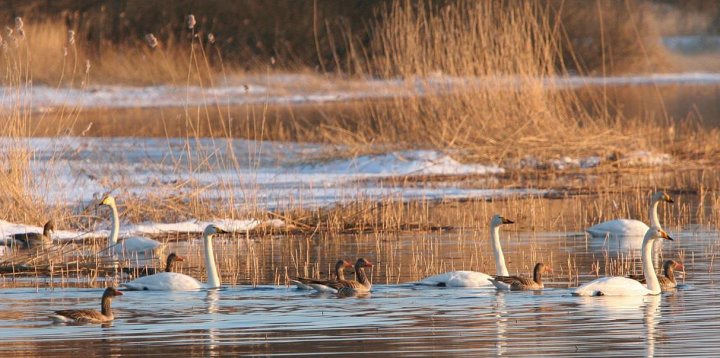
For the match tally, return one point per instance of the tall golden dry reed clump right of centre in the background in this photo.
(497, 56)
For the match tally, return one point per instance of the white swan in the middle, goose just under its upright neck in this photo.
(472, 278)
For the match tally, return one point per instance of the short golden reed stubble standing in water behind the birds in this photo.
(447, 236)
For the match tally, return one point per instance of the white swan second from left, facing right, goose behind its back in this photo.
(172, 281)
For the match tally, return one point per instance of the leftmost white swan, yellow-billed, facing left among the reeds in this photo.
(130, 246)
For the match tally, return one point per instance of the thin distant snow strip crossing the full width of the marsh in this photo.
(285, 89)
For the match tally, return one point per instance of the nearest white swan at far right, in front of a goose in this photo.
(623, 286)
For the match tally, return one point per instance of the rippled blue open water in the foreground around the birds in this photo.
(403, 319)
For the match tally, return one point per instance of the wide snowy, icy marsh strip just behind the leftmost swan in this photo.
(269, 175)
